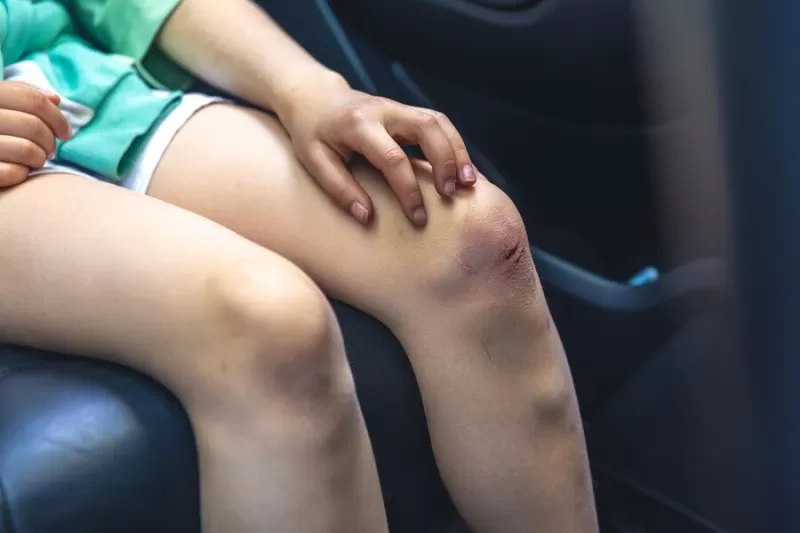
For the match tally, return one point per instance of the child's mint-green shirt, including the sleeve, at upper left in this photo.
(98, 55)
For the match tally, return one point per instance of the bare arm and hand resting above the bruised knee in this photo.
(237, 47)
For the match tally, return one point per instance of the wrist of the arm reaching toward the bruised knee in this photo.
(299, 91)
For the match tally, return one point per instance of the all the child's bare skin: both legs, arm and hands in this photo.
(216, 296)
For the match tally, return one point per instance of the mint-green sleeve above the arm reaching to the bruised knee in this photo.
(129, 28)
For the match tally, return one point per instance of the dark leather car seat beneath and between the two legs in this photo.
(91, 447)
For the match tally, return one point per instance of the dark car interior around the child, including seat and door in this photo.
(647, 146)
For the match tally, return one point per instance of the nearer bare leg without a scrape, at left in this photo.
(243, 338)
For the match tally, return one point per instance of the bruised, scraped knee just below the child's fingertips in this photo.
(479, 282)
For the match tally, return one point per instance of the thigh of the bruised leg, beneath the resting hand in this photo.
(236, 166)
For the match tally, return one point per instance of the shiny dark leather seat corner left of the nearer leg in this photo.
(91, 447)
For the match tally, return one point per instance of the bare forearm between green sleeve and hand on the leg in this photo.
(236, 46)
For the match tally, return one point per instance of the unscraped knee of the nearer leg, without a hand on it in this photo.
(275, 339)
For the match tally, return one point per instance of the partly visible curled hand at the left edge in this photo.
(30, 121)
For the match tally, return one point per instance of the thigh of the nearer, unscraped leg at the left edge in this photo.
(91, 268)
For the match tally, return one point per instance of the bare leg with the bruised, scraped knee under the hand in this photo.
(462, 296)
